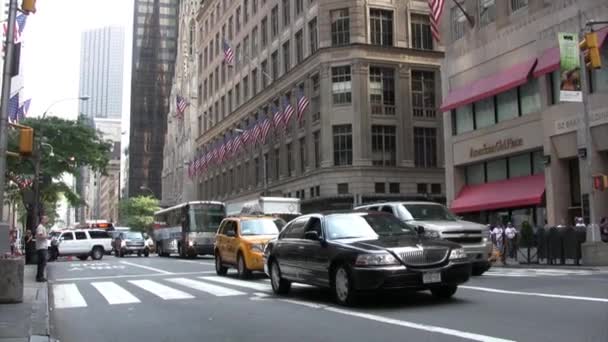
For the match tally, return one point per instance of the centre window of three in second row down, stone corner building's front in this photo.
(382, 90)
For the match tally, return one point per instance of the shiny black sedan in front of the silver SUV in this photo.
(357, 252)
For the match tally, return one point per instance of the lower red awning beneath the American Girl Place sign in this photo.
(510, 193)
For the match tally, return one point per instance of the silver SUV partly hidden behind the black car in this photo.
(438, 222)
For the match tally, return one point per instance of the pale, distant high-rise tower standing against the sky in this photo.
(101, 72)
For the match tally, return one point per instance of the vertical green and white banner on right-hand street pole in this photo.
(570, 68)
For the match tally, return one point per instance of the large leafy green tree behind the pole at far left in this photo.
(75, 144)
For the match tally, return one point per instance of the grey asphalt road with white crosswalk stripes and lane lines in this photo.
(170, 299)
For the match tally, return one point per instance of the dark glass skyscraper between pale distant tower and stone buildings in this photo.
(154, 49)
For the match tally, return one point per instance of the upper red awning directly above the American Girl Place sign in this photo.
(489, 86)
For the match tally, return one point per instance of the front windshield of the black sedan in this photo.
(371, 226)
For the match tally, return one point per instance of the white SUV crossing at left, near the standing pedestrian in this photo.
(82, 243)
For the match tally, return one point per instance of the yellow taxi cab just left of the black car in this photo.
(240, 243)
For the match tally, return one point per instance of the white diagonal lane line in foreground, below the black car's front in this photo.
(425, 327)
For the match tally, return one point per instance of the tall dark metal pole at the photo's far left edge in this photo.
(6, 94)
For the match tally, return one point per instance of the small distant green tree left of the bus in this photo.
(138, 212)
